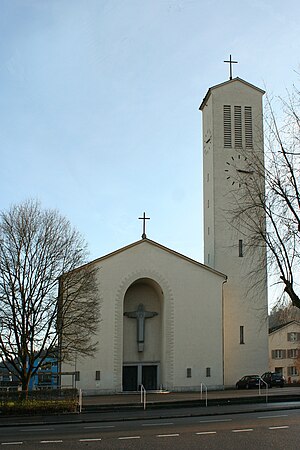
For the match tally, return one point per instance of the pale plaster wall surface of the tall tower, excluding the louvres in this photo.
(243, 305)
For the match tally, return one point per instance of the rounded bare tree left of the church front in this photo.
(39, 249)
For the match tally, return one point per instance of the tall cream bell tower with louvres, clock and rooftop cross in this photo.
(232, 127)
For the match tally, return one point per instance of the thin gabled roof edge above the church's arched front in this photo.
(162, 247)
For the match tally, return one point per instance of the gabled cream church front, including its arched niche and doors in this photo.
(179, 344)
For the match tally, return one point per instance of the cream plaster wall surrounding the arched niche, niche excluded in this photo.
(191, 318)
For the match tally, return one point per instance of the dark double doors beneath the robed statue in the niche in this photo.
(135, 375)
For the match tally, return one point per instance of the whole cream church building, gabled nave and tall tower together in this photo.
(168, 321)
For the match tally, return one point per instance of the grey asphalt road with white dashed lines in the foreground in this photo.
(259, 430)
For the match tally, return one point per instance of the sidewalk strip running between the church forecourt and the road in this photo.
(124, 407)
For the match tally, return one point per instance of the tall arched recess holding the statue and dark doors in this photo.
(142, 335)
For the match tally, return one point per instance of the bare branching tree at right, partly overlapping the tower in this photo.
(272, 191)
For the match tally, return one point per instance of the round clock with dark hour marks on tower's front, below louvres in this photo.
(238, 170)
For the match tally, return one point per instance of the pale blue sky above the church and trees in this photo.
(99, 105)
